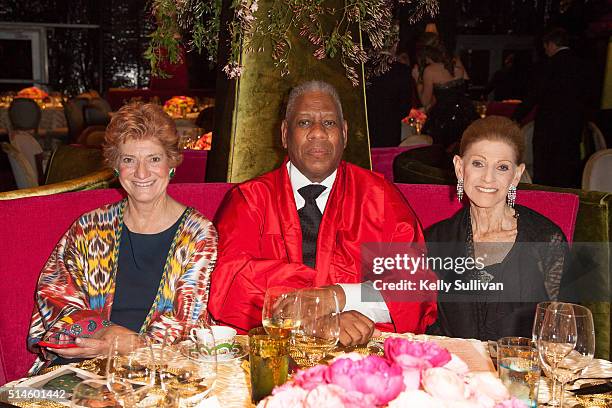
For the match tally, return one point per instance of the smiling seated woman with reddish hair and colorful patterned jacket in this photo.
(141, 265)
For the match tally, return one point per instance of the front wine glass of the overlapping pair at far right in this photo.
(557, 338)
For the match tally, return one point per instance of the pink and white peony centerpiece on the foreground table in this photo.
(414, 374)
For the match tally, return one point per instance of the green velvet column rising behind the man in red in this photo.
(249, 110)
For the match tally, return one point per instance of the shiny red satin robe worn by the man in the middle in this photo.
(260, 244)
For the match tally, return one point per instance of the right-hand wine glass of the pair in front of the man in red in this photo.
(319, 325)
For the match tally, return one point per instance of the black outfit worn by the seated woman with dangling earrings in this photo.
(530, 273)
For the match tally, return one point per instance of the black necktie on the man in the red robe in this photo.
(310, 218)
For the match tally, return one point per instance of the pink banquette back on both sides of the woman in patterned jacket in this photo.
(31, 227)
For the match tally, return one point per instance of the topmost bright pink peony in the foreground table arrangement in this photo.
(415, 355)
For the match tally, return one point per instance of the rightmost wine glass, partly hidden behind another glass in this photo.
(574, 363)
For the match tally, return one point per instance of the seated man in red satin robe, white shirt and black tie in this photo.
(303, 225)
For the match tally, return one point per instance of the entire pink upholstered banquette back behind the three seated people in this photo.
(32, 226)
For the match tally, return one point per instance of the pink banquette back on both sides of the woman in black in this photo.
(433, 203)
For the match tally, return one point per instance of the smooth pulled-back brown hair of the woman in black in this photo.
(496, 128)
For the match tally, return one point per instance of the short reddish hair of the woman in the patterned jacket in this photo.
(139, 121)
